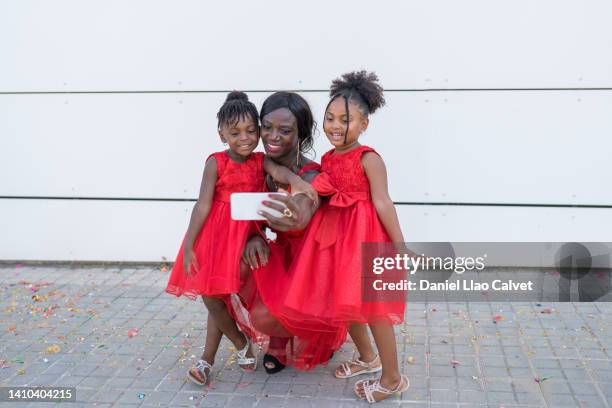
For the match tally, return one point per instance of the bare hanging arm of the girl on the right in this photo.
(377, 176)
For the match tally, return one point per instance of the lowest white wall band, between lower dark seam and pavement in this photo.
(137, 231)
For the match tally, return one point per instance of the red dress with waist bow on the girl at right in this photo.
(327, 282)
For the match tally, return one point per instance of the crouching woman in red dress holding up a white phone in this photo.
(287, 125)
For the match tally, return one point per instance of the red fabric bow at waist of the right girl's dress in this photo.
(328, 228)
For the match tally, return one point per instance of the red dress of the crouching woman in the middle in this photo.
(261, 295)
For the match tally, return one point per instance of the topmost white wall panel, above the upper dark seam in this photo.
(156, 45)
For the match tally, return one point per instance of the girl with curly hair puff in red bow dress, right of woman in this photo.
(326, 283)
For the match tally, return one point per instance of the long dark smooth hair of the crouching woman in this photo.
(300, 109)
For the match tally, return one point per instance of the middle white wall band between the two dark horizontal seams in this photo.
(485, 147)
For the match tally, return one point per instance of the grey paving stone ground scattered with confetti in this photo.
(69, 326)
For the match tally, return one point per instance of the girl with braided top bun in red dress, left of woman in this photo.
(209, 261)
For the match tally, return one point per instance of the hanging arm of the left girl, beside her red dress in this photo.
(199, 213)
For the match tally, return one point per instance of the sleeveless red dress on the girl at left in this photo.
(219, 244)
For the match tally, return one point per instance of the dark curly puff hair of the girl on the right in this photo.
(361, 87)
